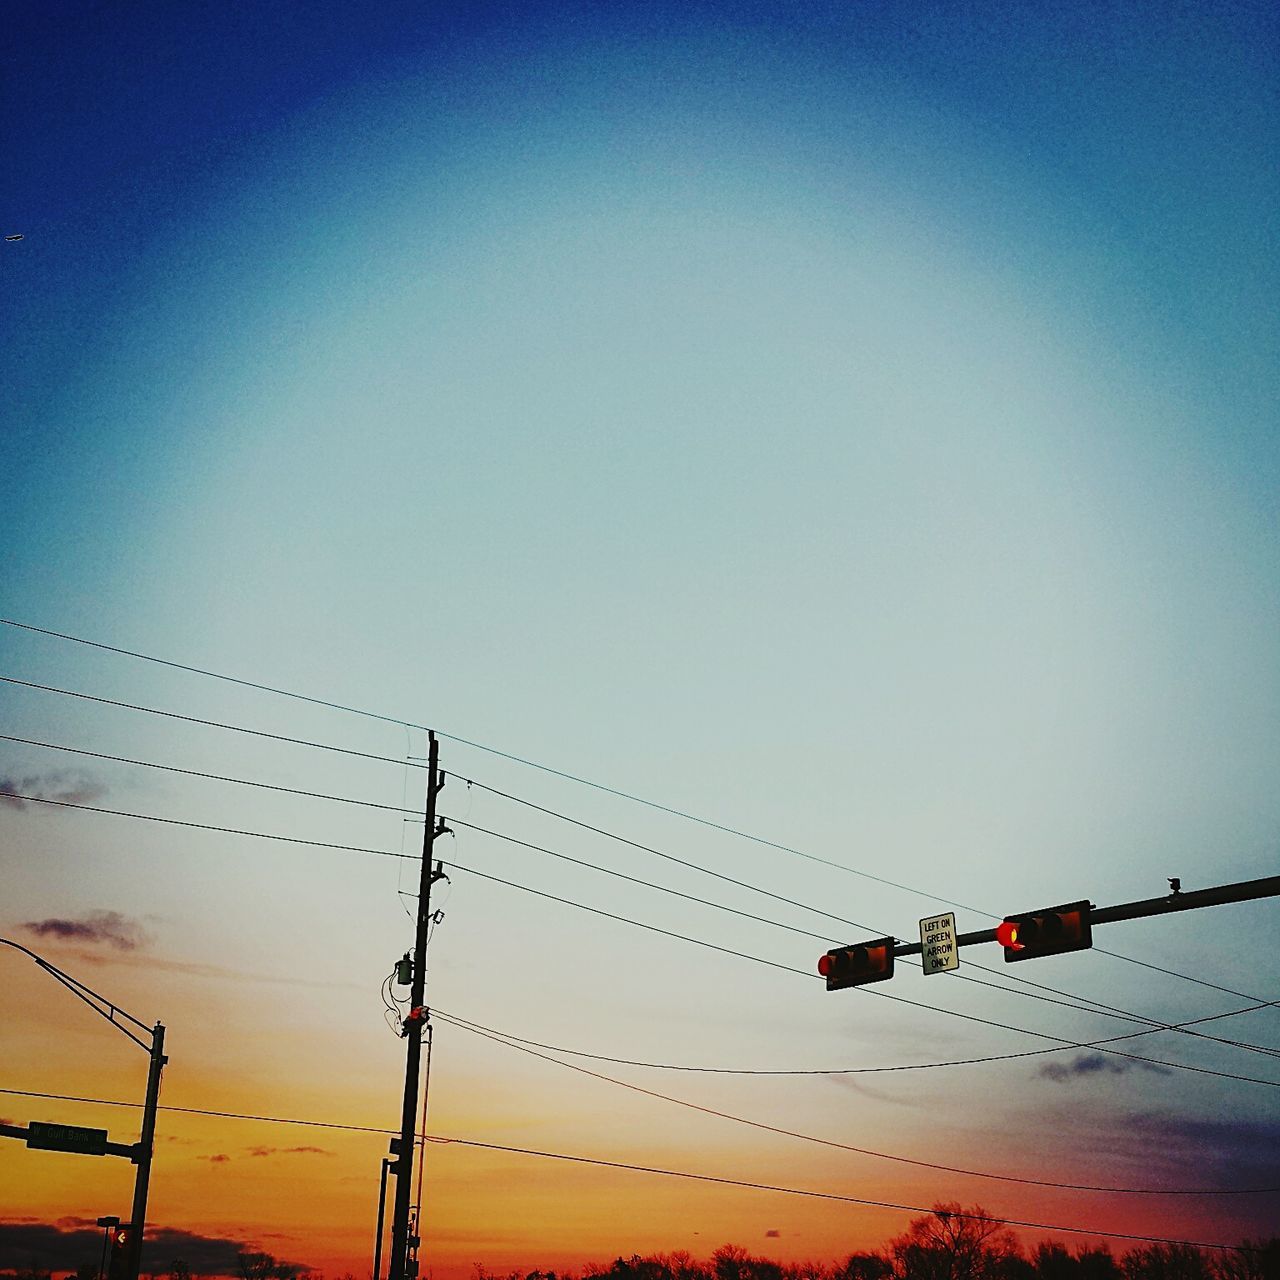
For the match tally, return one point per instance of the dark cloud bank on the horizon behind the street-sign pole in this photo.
(25, 1244)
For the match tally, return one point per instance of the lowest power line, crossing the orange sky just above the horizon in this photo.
(646, 1169)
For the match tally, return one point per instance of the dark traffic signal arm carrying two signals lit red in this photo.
(1089, 916)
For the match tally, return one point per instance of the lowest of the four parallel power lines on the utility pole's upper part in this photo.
(652, 929)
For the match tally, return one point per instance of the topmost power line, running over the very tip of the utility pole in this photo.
(577, 779)
